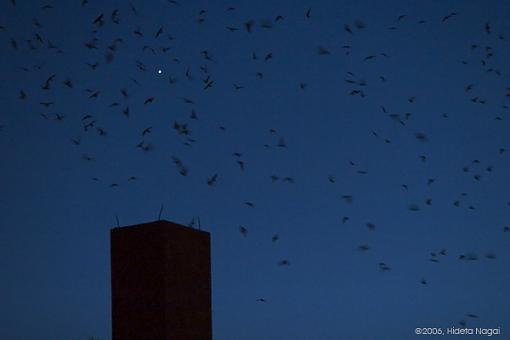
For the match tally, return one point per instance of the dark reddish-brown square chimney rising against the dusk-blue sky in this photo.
(161, 282)
